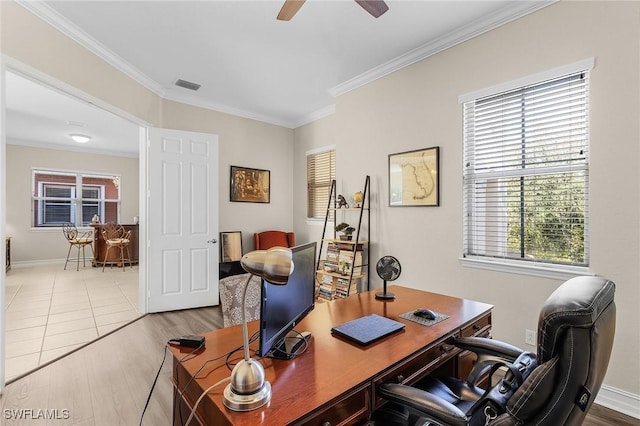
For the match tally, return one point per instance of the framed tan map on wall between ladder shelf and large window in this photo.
(413, 178)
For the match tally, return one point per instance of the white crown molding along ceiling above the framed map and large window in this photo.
(511, 12)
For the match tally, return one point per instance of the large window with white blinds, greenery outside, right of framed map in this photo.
(526, 172)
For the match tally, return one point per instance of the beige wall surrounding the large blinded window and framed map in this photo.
(417, 107)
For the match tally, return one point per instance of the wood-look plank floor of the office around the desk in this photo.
(107, 382)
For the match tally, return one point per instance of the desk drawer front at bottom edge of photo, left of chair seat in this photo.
(351, 409)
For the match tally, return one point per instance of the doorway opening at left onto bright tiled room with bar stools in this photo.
(50, 311)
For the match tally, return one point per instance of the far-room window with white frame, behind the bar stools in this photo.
(60, 197)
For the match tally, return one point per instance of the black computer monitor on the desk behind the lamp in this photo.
(282, 307)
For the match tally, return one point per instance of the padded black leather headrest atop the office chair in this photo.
(576, 303)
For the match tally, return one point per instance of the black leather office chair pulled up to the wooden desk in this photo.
(575, 336)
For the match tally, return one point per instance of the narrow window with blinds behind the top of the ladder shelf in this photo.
(321, 170)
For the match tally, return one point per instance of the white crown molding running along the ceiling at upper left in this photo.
(62, 24)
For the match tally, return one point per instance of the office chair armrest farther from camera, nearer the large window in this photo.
(489, 352)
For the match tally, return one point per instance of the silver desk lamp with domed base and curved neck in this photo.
(248, 389)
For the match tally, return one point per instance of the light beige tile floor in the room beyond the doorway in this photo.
(51, 311)
